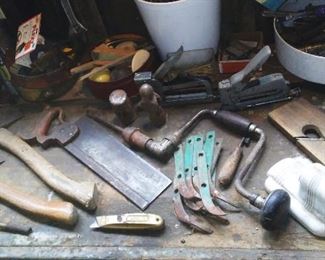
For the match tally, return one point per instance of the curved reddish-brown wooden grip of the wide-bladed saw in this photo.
(46, 121)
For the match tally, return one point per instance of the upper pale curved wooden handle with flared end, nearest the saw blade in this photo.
(84, 193)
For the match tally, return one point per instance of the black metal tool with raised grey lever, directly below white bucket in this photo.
(174, 84)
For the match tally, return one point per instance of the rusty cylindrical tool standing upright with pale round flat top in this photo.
(122, 106)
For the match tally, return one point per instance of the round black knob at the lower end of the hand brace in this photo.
(275, 212)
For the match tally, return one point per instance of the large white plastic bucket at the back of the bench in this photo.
(194, 24)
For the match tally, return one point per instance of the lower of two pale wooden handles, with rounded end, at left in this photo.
(58, 211)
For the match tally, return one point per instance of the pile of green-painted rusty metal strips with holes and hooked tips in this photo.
(194, 168)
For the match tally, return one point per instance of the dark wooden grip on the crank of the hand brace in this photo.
(233, 121)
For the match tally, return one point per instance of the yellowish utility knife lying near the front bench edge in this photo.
(131, 221)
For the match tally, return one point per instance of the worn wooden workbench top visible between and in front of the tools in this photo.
(243, 238)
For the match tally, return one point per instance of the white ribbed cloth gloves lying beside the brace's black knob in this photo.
(303, 180)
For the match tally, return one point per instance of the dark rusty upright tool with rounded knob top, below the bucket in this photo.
(149, 103)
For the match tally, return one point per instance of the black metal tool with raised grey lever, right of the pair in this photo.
(238, 93)
